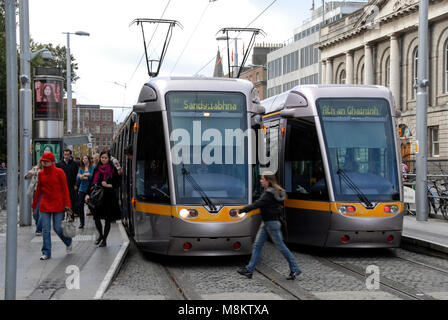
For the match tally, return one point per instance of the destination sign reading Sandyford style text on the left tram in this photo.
(205, 102)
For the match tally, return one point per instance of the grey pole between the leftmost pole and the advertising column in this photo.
(25, 113)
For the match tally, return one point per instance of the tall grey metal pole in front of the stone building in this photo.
(422, 101)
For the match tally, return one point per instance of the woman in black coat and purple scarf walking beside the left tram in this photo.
(105, 175)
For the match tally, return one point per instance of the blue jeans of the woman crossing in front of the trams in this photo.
(273, 229)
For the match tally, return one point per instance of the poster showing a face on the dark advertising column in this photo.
(48, 98)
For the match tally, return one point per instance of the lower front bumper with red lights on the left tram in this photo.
(210, 246)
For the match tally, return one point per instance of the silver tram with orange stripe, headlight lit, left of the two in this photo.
(186, 166)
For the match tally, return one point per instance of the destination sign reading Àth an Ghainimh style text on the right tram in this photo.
(353, 108)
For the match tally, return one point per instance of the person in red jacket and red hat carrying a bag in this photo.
(55, 202)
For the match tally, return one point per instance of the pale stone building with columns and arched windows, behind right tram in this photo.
(378, 44)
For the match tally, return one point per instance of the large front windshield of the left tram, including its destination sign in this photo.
(208, 147)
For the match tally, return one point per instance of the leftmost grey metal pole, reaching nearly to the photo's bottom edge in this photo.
(12, 150)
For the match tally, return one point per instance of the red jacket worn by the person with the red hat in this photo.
(52, 186)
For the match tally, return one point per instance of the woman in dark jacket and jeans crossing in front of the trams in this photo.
(270, 204)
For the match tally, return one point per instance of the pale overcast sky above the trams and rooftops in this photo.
(108, 60)
